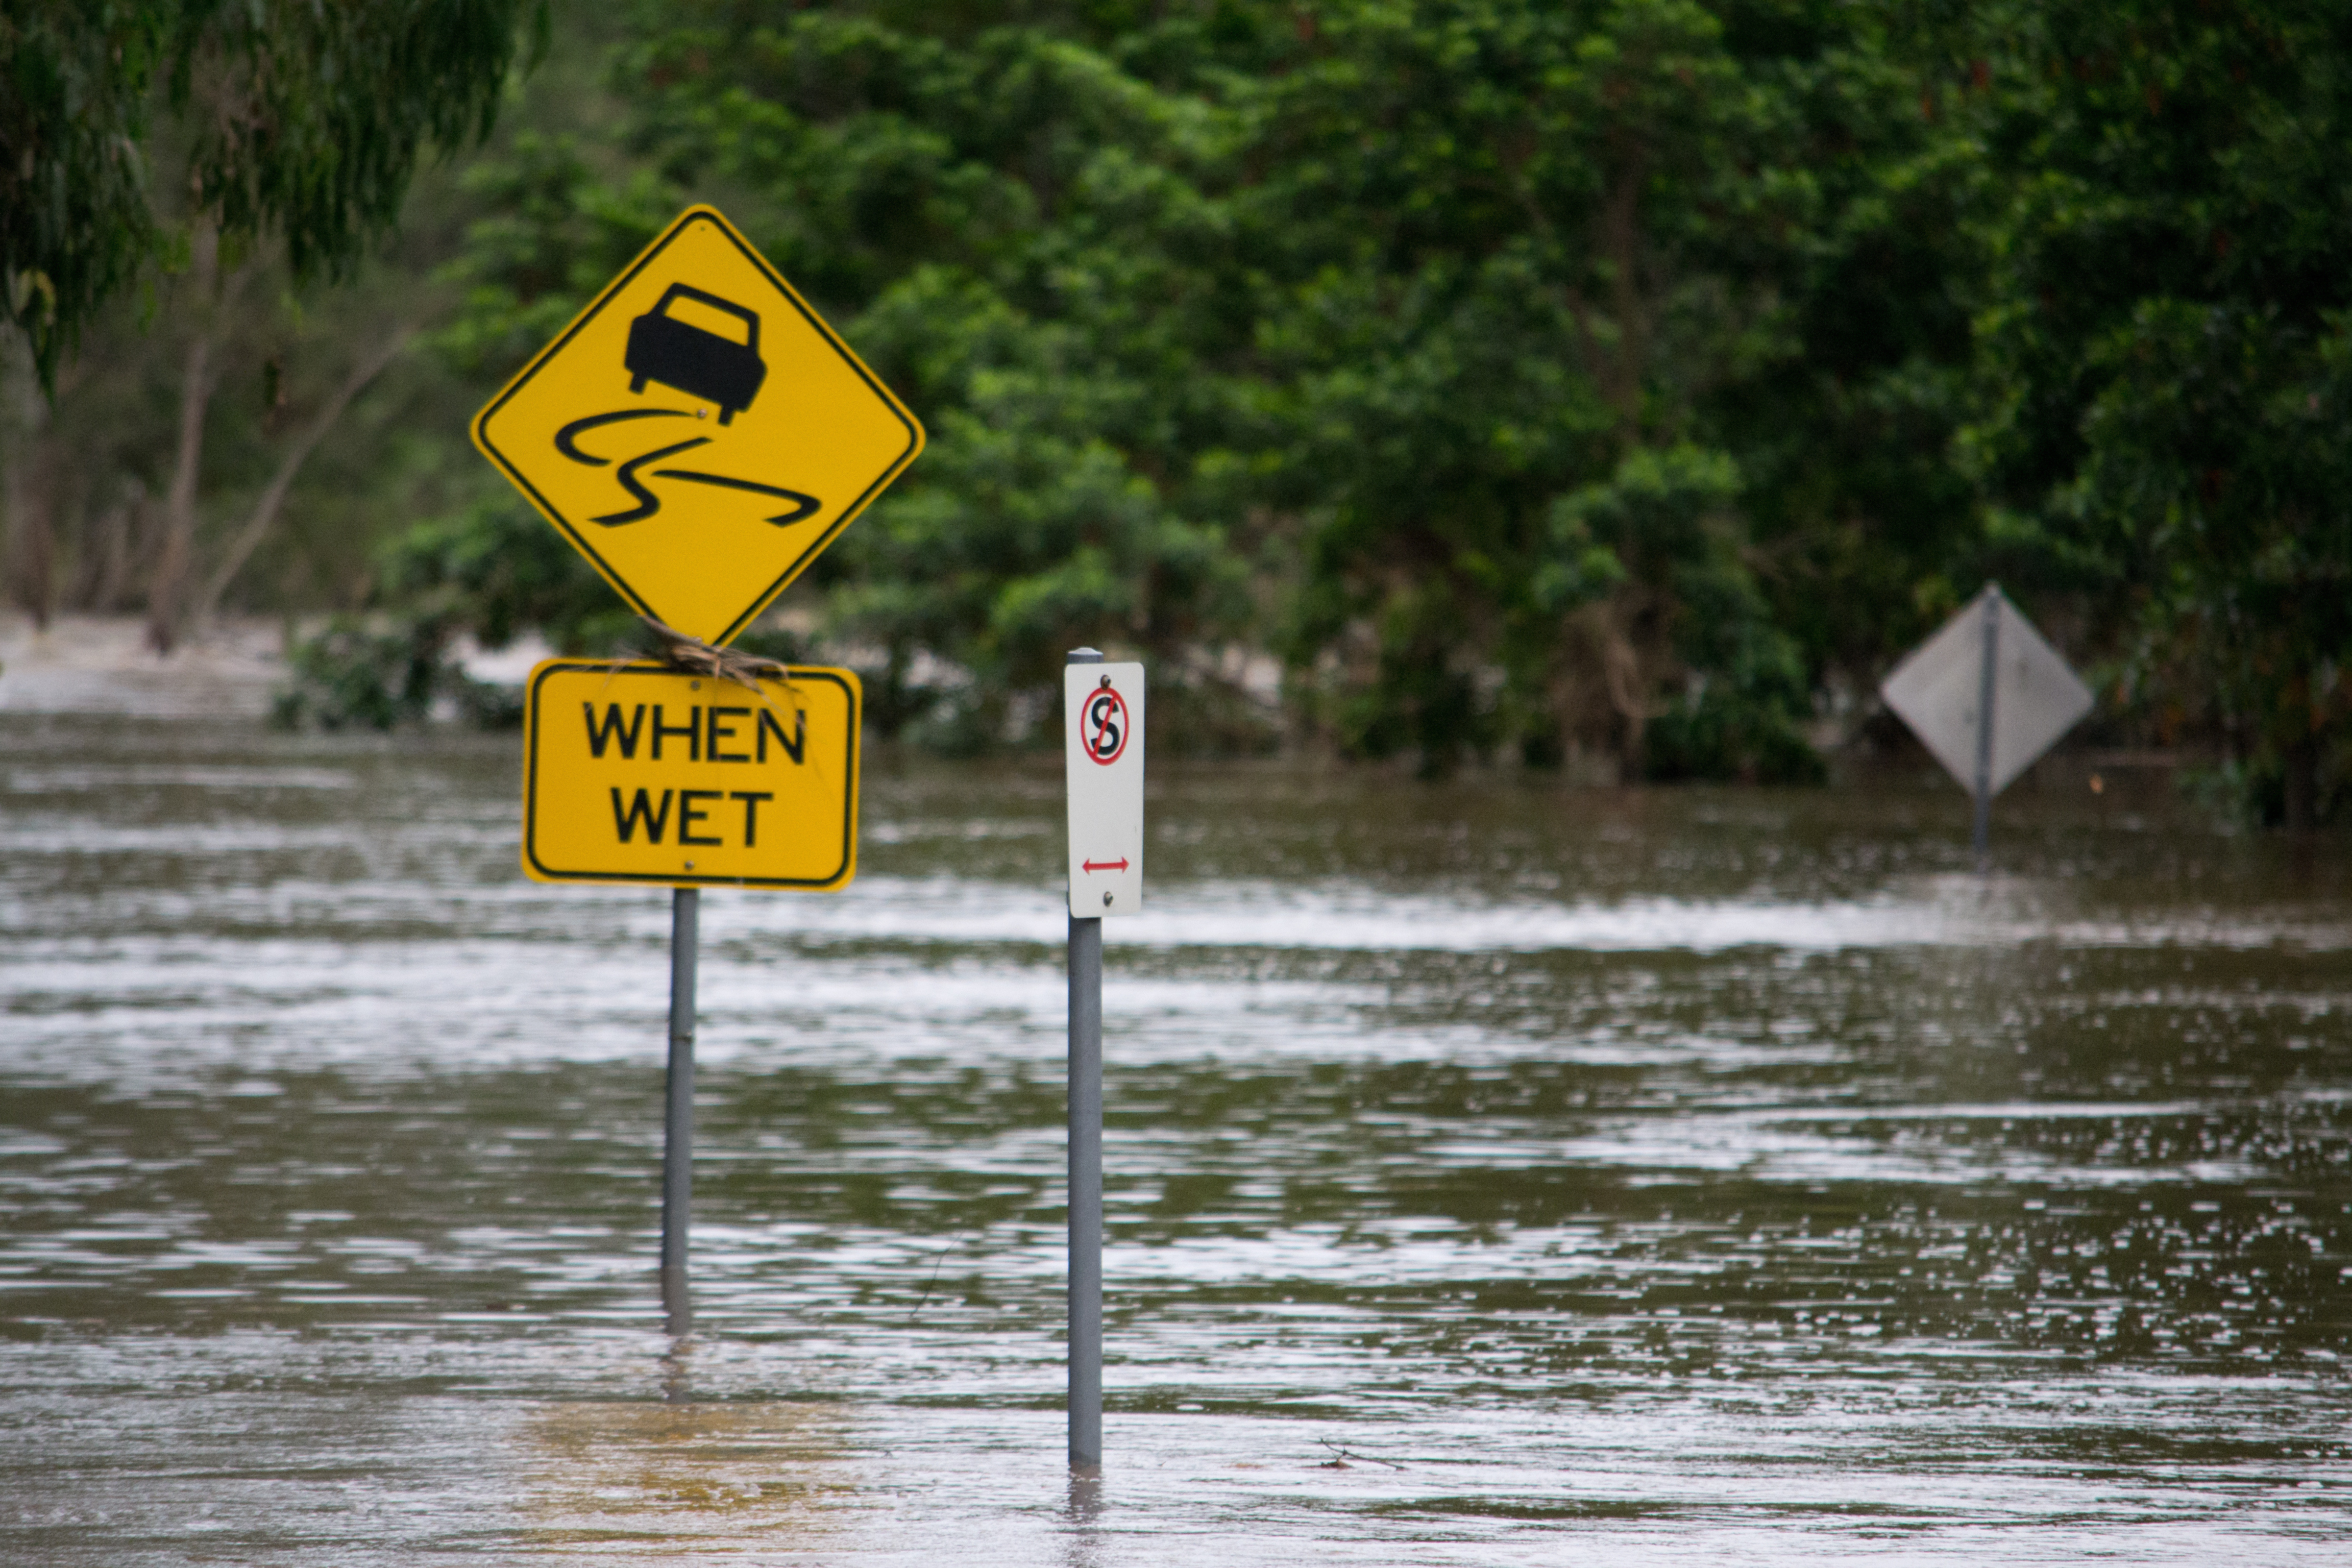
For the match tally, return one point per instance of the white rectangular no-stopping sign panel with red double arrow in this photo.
(1102, 709)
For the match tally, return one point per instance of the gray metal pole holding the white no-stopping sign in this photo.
(1085, 1179)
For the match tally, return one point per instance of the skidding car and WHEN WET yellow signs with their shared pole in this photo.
(700, 434)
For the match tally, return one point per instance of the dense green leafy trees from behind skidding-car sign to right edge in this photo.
(1589, 382)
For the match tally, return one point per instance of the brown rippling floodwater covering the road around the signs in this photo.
(1495, 1177)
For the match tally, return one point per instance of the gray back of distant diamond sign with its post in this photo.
(1986, 697)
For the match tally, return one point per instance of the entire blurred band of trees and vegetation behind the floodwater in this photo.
(1586, 384)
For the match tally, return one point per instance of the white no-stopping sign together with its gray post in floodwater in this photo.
(1104, 765)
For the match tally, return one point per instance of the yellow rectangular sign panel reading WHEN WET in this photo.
(634, 772)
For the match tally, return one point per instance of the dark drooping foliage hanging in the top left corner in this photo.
(288, 119)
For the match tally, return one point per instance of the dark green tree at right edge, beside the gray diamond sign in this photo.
(2165, 344)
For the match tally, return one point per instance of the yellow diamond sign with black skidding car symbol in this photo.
(697, 431)
